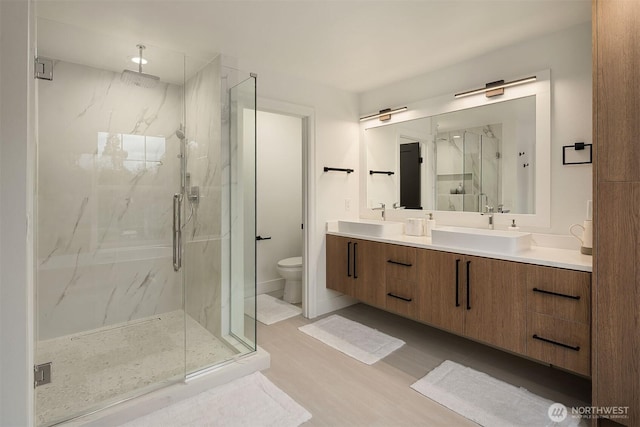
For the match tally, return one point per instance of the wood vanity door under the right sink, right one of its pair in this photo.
(495, 303)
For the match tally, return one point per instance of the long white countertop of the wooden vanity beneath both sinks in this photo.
(539, 255)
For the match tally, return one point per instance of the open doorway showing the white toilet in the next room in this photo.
(282, 203)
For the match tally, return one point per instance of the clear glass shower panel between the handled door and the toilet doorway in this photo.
(219, 233)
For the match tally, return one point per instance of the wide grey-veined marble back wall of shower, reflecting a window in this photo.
(104, 200)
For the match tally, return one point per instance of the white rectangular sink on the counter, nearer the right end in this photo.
(500, 241)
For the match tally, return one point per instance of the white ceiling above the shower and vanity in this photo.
(355, 45)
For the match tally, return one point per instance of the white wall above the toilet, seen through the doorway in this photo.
(279, 195)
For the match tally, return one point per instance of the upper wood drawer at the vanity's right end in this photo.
(561, 293)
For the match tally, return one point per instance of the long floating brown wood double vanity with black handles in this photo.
(537, 311)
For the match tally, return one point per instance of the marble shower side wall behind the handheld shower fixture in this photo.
(207, 168)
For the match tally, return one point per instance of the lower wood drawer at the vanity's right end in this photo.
(559, 342)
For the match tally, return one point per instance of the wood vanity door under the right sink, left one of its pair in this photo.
(440, 289)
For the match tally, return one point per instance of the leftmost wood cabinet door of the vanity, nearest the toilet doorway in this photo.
(339, 264)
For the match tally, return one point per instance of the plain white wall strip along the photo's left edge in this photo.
(17, 167)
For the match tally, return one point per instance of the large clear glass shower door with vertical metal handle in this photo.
(110, 311)
